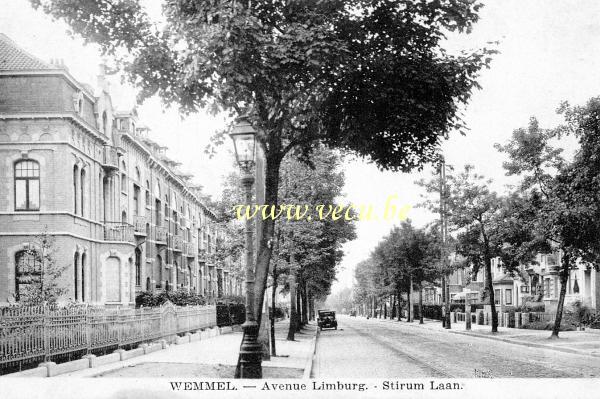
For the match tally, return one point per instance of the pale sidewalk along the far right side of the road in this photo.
(577, 342)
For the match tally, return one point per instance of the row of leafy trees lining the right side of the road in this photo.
(554, 208)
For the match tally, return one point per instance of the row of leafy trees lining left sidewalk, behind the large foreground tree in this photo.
(306, 252)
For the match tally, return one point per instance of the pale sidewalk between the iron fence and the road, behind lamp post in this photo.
(213, 358)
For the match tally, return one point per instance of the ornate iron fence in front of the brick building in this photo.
(43, 333)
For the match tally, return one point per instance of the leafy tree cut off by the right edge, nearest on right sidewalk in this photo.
(563, 195)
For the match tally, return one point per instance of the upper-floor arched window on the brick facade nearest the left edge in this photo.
(27, 186)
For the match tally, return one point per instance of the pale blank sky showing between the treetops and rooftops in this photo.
(549, 53)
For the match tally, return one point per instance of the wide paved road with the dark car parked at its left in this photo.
(362, 348)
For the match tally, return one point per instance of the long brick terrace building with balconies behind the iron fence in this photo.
(123, 217)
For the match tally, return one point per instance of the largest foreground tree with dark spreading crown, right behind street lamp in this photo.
(302, 71)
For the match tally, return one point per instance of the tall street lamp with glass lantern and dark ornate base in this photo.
(244, 142)
